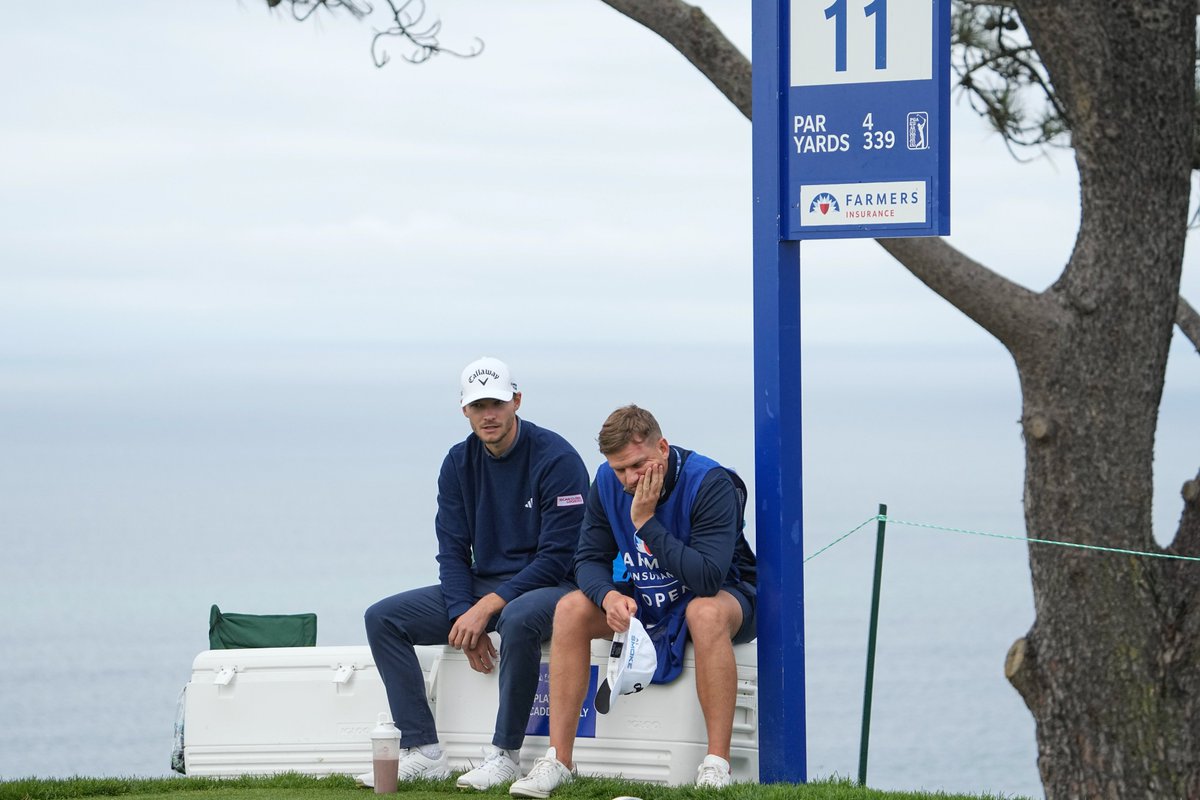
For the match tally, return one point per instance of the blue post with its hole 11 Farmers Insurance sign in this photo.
(851, 139)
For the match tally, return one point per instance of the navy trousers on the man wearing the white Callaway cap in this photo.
(419, 617)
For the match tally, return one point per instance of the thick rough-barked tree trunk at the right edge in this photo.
(1111, 669)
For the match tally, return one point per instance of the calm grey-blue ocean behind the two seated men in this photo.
(146, 492)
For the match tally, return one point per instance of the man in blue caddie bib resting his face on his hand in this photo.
(675, 519)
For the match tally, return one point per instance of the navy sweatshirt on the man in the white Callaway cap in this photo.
(515, 518)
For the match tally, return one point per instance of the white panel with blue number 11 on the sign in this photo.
(861, 41)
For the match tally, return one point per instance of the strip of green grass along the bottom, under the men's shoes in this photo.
(339, 787)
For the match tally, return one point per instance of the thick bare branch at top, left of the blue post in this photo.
(689, 31)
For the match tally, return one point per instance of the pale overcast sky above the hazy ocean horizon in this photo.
(193, 185)
